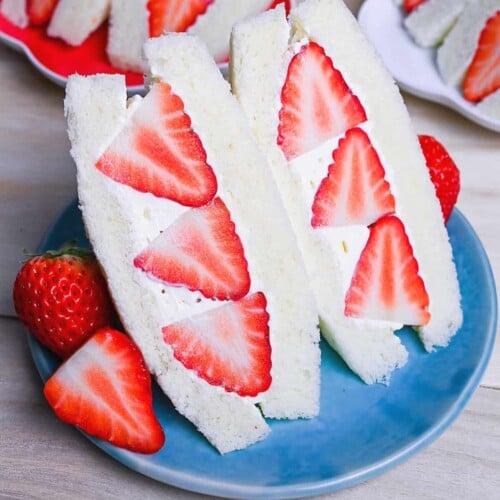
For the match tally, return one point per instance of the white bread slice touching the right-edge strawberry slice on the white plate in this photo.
(457, 51)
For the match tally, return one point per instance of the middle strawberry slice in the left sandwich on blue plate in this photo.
(201, 251)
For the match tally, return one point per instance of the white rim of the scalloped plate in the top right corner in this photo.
(445, 95)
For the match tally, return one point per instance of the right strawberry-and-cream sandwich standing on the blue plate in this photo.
(353, 179)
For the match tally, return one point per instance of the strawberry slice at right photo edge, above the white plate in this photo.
(483, 75)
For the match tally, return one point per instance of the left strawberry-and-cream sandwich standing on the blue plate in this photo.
(201, 260)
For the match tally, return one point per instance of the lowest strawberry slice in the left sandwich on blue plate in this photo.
(228, 346)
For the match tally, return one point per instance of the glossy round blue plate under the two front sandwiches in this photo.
(361, 431)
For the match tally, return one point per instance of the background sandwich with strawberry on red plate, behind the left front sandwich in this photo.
(133, 21)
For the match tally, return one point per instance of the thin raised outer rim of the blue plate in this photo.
(193, 483)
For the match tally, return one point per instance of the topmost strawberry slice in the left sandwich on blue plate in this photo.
(158, 152)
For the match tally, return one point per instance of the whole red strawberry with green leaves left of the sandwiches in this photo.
(62, 298)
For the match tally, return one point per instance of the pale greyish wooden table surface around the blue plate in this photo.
(42, 458)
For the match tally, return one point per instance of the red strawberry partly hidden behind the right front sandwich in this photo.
(444, 173)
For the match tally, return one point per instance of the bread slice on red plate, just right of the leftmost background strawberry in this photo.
(74, 20)
